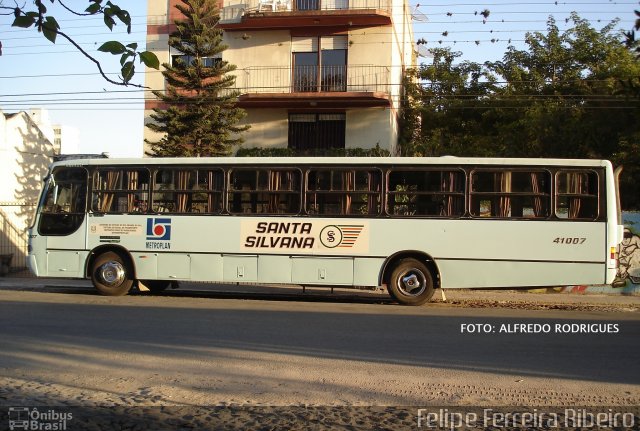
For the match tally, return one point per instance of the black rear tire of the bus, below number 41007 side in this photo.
(411, 282)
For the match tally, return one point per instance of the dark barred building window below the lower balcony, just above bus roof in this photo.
(309, 132)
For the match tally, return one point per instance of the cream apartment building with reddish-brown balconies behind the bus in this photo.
(312, 74)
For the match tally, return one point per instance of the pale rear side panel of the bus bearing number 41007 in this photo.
(501, 253)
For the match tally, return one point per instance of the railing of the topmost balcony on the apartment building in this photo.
(234, 10)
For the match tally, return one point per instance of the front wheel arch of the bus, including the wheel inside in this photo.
(111, 270)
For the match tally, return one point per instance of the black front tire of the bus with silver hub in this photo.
(111, 274)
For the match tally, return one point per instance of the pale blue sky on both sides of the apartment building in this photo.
(37, 74)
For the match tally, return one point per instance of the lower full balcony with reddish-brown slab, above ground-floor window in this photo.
(315, 87)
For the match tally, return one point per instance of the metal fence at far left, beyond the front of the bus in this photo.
(14, 237)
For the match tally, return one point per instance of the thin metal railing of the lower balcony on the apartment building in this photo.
(307, 79)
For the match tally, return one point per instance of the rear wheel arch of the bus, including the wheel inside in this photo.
(411, 277)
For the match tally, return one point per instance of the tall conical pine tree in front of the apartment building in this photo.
(199, 117)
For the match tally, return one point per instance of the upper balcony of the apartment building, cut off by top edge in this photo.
(287, 14)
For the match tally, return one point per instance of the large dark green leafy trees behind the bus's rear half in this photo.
(566, 94)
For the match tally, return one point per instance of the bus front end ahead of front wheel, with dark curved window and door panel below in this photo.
(61, 233)
